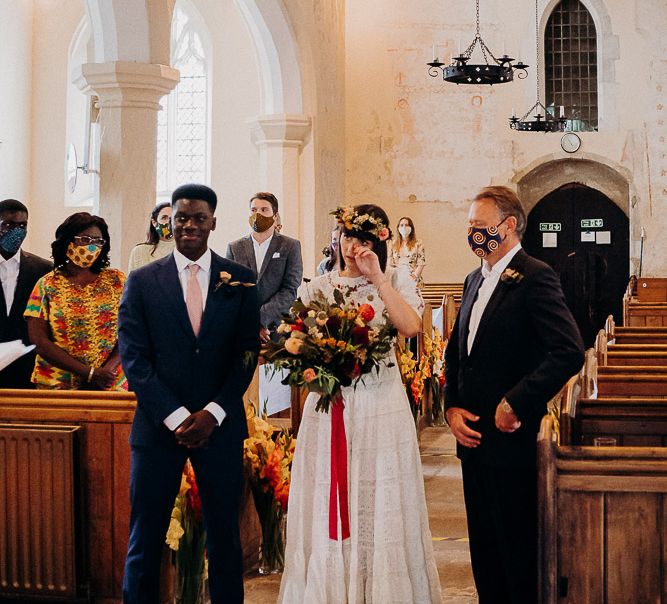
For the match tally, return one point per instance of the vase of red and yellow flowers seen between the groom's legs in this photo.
(187, 538)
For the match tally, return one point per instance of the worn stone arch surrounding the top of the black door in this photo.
(548, 173)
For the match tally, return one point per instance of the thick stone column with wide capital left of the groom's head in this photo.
(129, 95)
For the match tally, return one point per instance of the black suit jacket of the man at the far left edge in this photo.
(14, 326)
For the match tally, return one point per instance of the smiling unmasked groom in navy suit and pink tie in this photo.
(188, 338)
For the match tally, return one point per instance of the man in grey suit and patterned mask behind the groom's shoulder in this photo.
(275, 259)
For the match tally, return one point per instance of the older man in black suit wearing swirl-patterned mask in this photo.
(513, 346)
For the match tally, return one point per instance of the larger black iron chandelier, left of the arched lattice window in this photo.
(492, 71)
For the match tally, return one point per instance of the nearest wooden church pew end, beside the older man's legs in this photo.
(602, 522)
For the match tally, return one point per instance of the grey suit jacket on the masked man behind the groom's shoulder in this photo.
(279, 277)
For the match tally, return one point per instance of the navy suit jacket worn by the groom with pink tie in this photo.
(167, 366)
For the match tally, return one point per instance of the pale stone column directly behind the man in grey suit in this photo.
(280, 139)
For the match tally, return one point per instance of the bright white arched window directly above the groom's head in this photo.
(182, 133)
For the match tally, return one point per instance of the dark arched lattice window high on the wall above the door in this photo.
(571, 64)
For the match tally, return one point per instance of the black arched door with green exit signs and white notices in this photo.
(584, 236)
